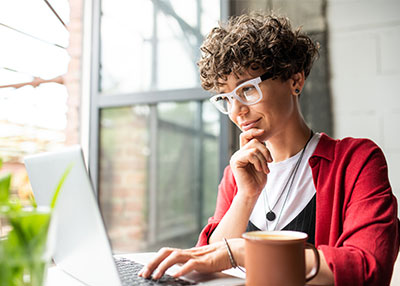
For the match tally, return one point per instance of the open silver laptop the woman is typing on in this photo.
(82, 248)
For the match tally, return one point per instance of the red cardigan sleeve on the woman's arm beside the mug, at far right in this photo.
(367, 246)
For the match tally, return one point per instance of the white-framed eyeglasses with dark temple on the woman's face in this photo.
(247, 93)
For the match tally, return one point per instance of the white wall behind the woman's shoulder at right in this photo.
(364, 53)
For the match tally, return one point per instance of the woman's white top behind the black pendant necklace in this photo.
(300, 194)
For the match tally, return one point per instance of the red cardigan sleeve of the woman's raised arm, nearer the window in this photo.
(226, 191)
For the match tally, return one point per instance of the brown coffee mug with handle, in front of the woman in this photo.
(276, 258)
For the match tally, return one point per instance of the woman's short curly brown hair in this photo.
(252, 41)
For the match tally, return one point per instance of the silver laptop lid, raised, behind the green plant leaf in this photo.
(82, 248)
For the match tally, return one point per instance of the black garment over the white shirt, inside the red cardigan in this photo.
(304, 221)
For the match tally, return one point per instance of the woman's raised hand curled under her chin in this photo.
(250, 163)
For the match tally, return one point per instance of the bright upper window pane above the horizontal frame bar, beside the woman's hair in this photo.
(154, 47)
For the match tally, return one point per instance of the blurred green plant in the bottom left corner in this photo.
(24, 237)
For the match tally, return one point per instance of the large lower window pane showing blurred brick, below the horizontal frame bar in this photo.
(158, 174)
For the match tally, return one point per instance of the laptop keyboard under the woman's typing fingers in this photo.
(129, 269)
